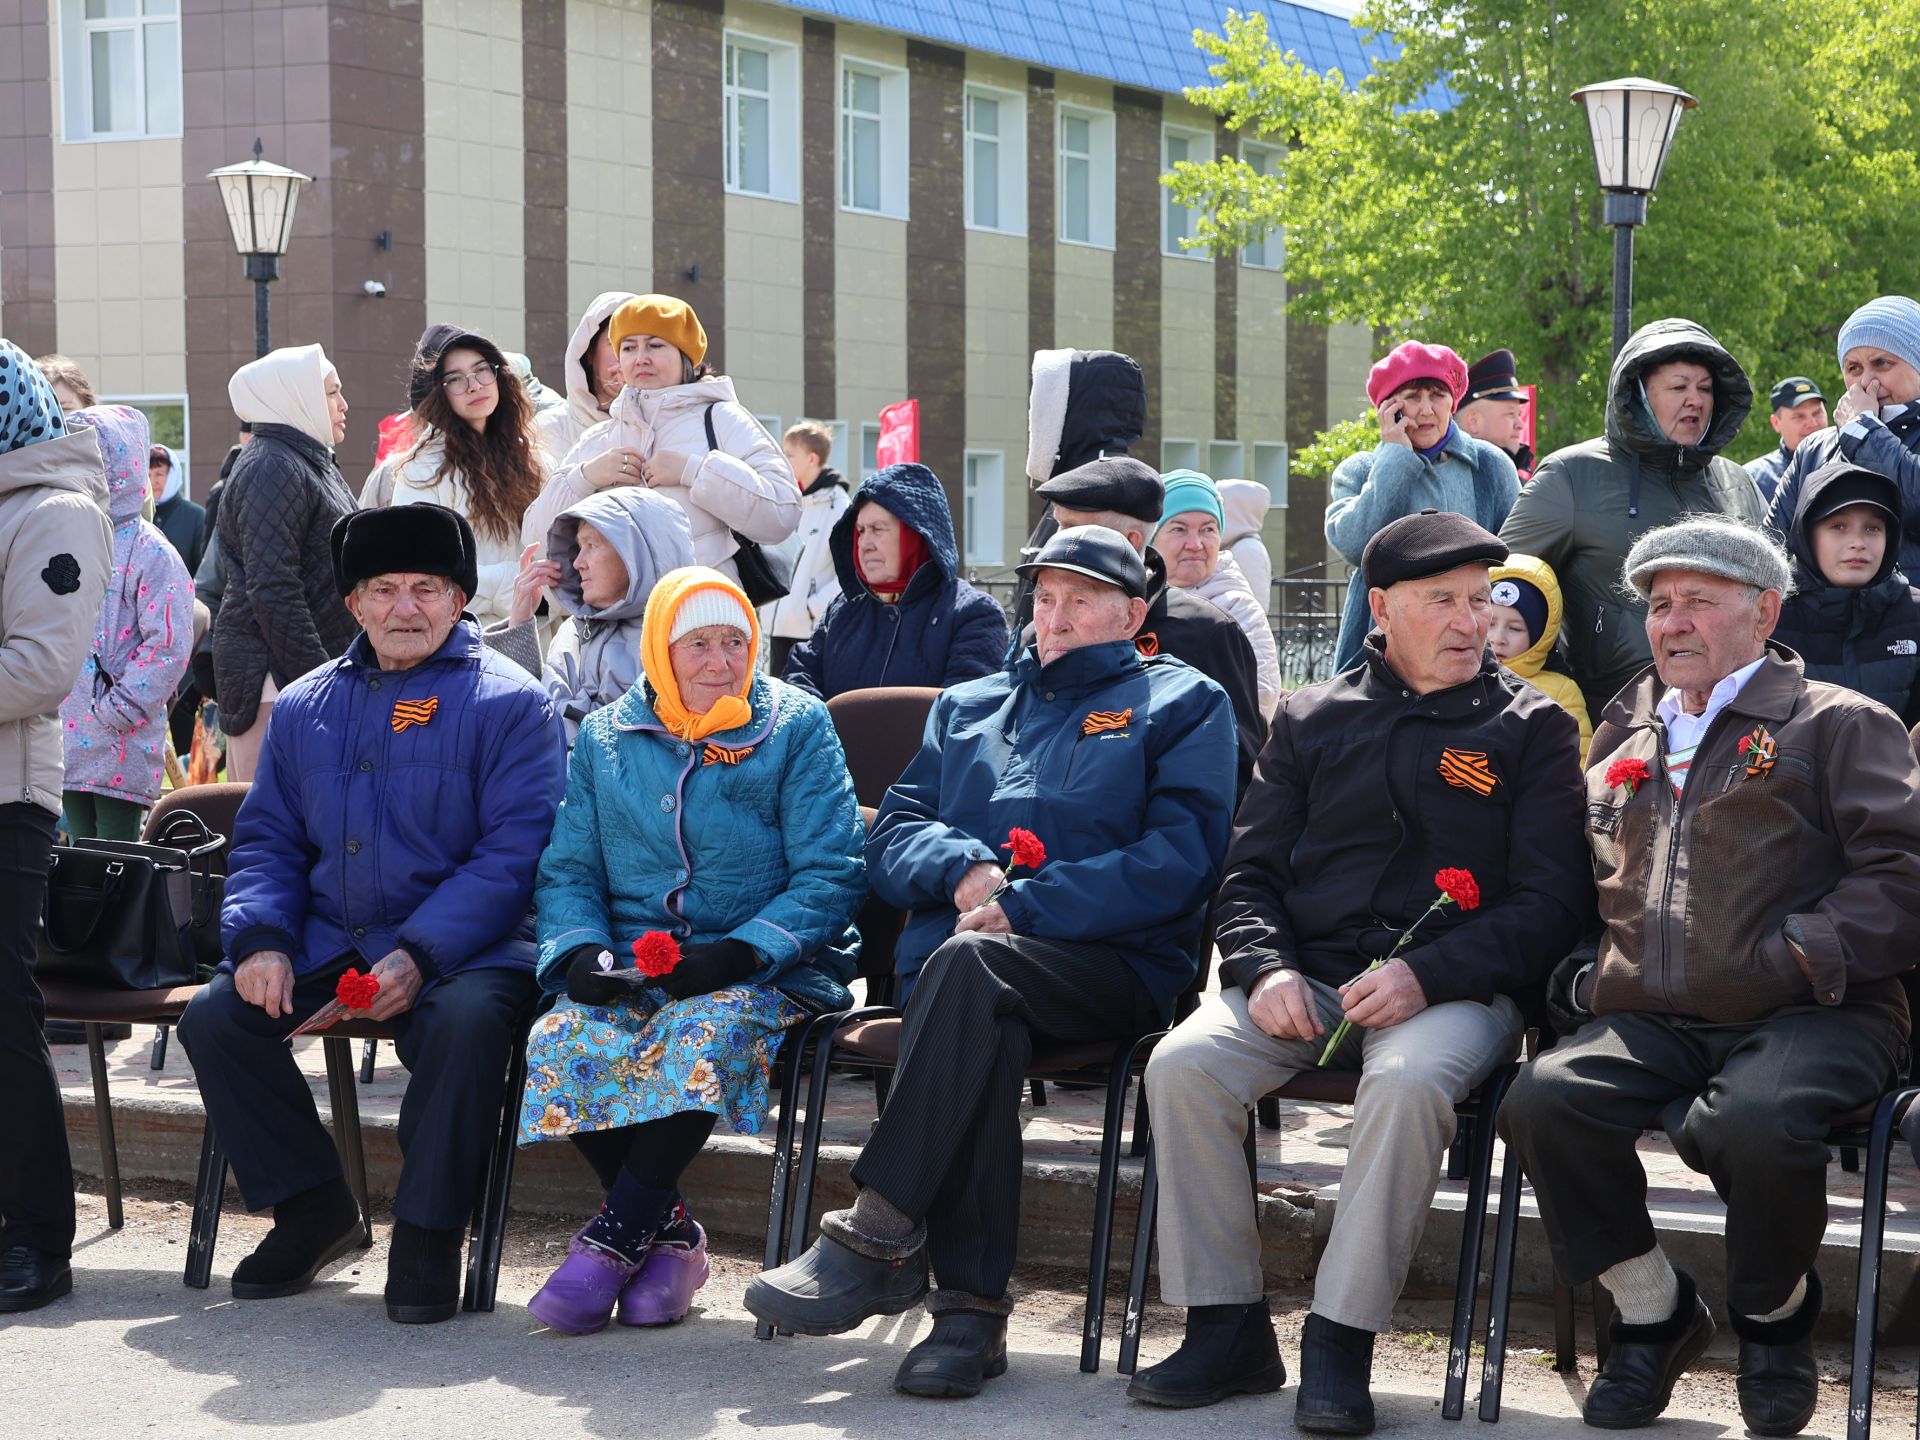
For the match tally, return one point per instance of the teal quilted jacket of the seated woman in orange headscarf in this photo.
(752, 834)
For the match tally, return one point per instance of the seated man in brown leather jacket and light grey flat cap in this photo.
(1758, 848)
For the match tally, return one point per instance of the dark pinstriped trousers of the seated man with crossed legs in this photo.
(948, 1147)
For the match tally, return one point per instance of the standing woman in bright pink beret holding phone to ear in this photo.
(1422, 464)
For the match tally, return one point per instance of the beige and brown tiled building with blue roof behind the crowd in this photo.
(865, 201)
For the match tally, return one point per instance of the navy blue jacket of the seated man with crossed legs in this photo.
(1124, 765)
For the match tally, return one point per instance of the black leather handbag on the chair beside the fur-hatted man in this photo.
(133, 917)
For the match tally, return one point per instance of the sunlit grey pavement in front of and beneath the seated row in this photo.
(135, 1355)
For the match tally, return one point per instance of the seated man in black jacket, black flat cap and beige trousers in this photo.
(1424, 757)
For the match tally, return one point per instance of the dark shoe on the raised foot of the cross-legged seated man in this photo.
(844, 1280)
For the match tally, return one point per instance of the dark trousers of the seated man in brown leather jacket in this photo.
(1746, 1105)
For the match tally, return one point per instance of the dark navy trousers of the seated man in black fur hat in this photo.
(454, 1044)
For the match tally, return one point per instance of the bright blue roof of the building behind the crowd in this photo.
(1141, 43)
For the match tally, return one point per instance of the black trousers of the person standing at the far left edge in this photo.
(37, 1172)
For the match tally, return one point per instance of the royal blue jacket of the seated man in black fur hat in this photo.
(373, 828)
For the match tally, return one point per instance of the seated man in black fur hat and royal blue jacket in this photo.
(402, 804)
